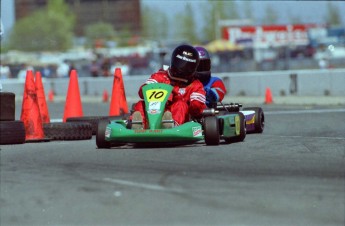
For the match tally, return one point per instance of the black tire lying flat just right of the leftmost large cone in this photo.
(68, 130)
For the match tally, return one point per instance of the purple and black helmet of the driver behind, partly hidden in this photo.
(204, 68)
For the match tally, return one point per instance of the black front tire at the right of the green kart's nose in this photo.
(211, 130)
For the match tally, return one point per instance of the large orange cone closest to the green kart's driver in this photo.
(118, 104)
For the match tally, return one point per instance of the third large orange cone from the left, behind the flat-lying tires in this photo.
(73, 107)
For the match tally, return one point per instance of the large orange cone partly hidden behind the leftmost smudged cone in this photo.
(41, 98)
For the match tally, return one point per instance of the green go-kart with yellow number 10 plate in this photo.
(210, 128)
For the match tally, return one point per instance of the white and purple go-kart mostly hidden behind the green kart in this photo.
(254, 116)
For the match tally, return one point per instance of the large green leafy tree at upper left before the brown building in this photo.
(47, 29)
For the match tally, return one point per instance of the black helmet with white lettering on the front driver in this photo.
(184, 62)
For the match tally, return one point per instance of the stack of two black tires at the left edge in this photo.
(11, 131)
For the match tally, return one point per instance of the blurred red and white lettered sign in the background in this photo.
(268, 35)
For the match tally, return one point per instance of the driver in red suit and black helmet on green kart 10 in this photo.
(188, 95)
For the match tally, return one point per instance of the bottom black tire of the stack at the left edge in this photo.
(12, 132)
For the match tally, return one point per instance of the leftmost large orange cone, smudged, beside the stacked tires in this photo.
(30, 114)
